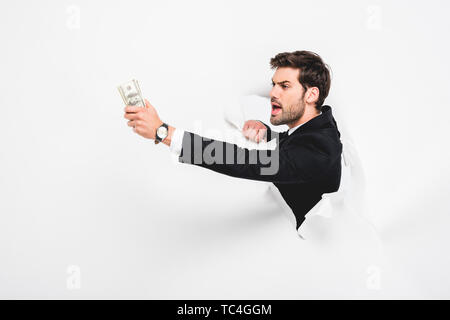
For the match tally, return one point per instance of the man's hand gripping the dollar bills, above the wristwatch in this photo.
(144, 121)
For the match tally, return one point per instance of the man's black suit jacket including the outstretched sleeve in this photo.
(304, 165)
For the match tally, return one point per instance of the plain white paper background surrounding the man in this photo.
(80, 191)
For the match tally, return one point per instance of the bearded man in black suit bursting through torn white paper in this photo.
(307, 160)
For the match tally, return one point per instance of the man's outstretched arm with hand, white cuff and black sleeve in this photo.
(298, 163)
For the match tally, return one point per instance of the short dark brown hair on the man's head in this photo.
(313, 71)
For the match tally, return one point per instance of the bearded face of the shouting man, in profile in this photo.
(287, 96)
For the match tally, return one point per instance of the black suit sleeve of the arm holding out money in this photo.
(299, 162)
